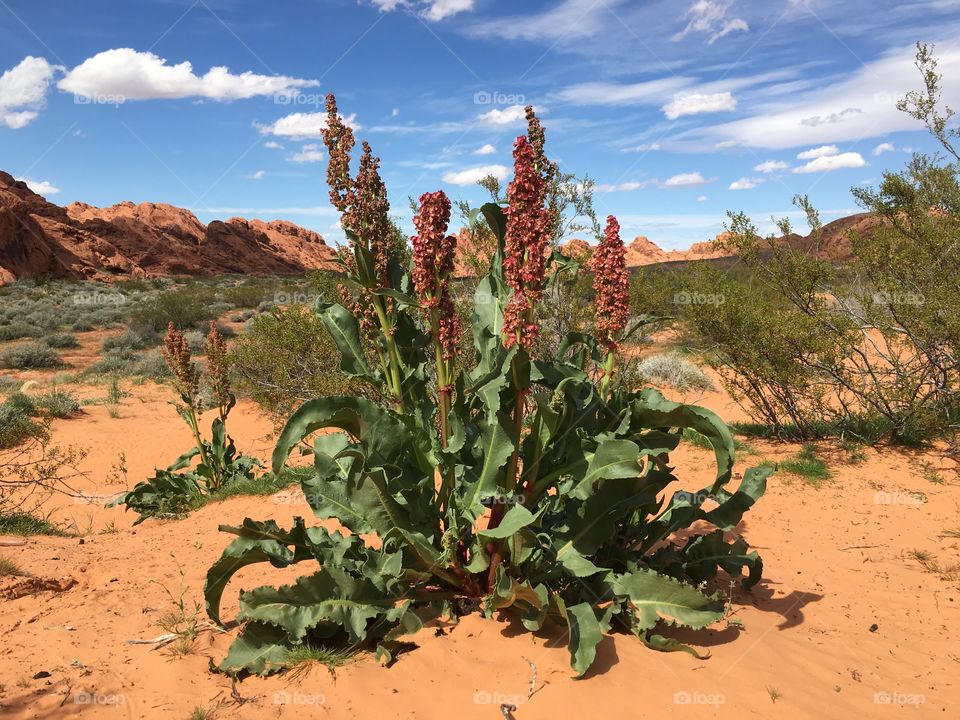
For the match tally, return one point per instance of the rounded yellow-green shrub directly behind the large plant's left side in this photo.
(287, 357)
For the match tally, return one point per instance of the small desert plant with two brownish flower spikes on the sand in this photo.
(173, 491)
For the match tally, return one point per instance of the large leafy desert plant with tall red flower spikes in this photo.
(520, 484)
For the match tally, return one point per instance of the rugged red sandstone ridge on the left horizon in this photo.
(38, 238)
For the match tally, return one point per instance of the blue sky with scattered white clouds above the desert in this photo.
(679, 111)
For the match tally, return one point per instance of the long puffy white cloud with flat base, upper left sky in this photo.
(133, 75)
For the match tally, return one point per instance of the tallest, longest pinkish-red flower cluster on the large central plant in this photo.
(525, 246)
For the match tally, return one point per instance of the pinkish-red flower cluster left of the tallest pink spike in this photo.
(434, 256)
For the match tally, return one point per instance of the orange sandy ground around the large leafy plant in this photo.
(846, 623)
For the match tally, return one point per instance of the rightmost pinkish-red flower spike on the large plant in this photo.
(611, 283)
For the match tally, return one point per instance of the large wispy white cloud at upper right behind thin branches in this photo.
(874, 89)
